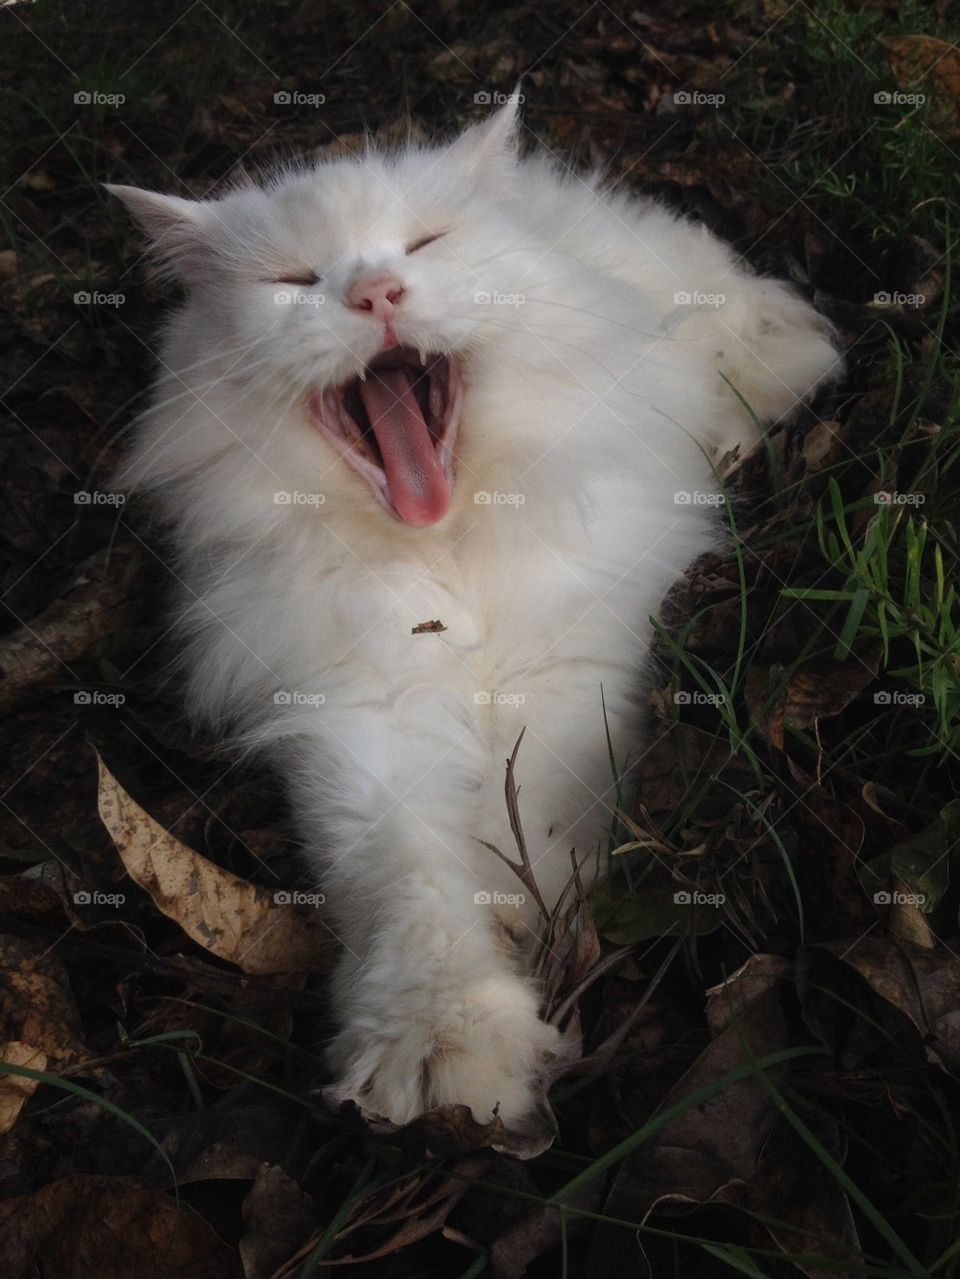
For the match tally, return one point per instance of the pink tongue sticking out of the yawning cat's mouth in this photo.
(420, 490)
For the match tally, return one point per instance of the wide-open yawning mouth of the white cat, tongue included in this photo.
(397, 427)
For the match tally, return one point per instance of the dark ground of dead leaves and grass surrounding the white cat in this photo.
(786, 877)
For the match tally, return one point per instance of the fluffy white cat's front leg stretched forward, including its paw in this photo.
(430, 996)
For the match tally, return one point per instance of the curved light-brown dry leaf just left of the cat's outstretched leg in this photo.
(233, 919)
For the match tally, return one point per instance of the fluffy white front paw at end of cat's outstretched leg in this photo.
(483, 1046)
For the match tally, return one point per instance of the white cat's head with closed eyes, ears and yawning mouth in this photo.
(359, 288)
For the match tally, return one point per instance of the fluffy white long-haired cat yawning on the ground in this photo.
(541, 365)
